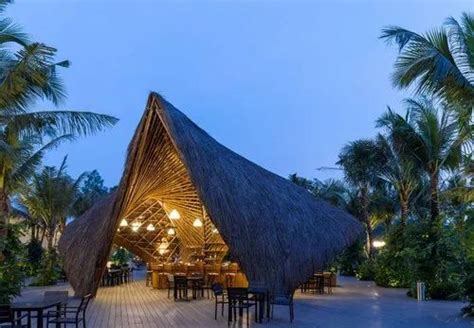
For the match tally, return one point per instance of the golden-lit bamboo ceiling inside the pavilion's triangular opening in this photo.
(158, 183)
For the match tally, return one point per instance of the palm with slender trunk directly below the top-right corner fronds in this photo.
(429, 137)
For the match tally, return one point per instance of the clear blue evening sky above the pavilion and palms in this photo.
(284, 83)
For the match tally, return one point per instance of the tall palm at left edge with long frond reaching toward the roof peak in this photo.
(27, 75)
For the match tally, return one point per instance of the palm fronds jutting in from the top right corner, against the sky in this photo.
(440, 62)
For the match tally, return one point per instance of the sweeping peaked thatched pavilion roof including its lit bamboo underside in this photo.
(278, 232)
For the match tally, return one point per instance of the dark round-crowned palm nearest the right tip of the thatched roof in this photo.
(361, 161)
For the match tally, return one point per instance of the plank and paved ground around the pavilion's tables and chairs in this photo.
(355, 304)
